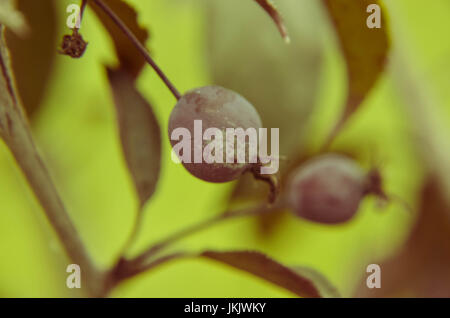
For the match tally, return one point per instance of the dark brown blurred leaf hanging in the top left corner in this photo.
(33, 55)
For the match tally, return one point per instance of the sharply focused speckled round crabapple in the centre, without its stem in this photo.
(217, 108)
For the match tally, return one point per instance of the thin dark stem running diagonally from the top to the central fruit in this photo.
(138, 45)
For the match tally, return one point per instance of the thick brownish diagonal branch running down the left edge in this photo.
(15, 131)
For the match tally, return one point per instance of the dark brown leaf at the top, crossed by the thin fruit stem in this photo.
(130, 58)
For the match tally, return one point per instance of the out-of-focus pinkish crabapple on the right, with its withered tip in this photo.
(328, 189)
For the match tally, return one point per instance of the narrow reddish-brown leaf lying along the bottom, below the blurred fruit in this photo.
(264, 267)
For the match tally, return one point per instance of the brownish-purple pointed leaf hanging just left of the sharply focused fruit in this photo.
(139, 133)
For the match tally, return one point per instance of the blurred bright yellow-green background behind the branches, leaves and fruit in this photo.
(76, 131)
